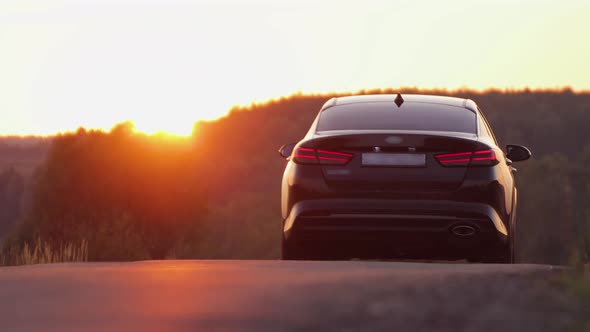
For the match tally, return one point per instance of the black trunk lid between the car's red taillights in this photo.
(394, 161)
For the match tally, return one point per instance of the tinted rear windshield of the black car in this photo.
(387, 116)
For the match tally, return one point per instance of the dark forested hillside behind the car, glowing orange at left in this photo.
(217, 195)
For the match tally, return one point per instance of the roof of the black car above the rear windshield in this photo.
(411, 98)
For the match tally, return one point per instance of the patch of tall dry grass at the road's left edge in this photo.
(43, 253)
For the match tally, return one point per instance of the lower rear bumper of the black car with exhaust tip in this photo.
(394, 224)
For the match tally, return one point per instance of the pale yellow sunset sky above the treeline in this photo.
(165, 64)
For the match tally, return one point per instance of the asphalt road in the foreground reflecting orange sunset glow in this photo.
(282, 296)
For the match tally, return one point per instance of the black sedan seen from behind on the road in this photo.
(400, 176)
